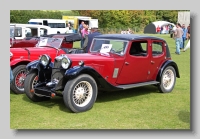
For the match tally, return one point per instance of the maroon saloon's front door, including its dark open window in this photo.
(136, 65)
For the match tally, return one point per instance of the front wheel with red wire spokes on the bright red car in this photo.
(19, 77)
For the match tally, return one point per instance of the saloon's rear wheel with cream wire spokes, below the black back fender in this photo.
(168, 74)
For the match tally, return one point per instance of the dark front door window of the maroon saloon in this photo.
(138, 48)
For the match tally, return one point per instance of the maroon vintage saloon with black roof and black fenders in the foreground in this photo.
(114, 62)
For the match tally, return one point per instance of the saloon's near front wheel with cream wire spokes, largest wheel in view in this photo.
(87, 82)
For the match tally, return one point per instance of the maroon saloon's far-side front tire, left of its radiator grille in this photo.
(28, 86)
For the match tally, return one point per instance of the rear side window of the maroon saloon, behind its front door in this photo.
(157, 48)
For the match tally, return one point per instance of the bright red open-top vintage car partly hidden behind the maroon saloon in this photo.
(53, 46)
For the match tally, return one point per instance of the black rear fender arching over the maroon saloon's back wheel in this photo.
(166, 64)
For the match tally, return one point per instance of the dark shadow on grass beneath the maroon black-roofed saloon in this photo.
(101, 98)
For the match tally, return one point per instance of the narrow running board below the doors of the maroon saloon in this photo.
(137, 85)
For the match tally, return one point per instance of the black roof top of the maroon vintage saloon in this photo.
(127, 37)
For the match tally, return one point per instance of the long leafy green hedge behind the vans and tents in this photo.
(107, 18)
